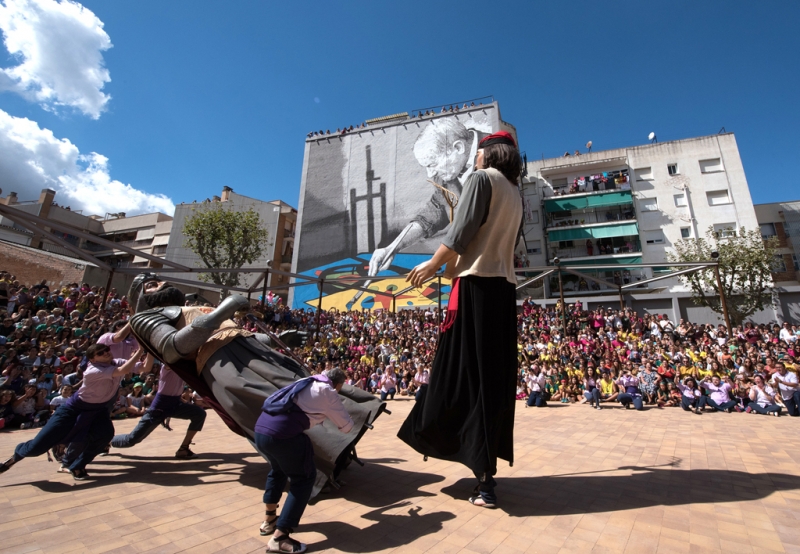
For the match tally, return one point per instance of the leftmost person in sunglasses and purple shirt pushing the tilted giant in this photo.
(86, 411)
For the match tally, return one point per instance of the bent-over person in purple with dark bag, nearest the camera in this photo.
(281, 438)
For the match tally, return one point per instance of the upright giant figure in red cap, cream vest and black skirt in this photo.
(467, 413)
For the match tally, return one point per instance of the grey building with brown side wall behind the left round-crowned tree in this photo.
(277, 217)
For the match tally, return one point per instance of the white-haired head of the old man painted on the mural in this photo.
(443, 149)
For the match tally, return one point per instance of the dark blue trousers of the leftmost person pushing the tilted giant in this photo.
(99, 433)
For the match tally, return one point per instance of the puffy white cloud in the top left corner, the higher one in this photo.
(59, 46)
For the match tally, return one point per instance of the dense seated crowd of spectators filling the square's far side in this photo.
(604, 356)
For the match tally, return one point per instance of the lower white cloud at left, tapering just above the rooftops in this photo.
(32, 158)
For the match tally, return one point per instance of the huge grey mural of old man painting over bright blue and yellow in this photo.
(369, 207)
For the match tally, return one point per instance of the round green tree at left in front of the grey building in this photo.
(224, 238)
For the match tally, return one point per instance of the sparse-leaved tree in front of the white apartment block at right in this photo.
(746, 262)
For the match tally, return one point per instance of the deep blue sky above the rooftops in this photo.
(207, 94)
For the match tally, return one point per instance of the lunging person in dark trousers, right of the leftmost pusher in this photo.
(166, 404)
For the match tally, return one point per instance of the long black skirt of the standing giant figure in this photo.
(467, 412)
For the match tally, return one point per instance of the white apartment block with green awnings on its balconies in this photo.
(614, 208)
